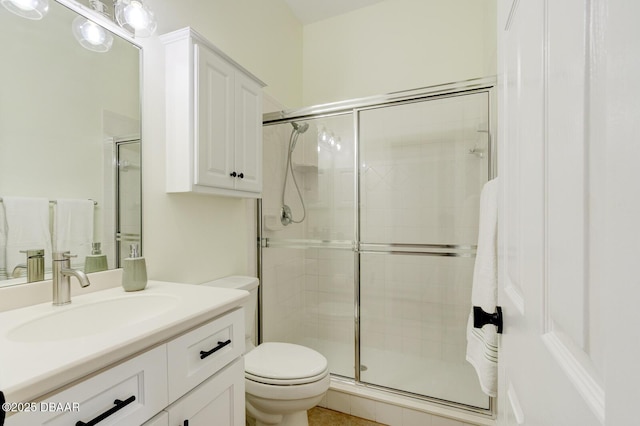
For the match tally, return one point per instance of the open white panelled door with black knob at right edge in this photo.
(569, 135)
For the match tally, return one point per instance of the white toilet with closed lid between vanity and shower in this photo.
(282, 380)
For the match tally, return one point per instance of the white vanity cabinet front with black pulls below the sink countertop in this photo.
(196, 378)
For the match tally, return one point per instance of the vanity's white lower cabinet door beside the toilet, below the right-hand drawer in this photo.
(217, 401)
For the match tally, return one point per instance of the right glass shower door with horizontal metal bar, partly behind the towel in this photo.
(422, 167)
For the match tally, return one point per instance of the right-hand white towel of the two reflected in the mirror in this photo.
(73, 228)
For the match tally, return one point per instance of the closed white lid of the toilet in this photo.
(284, 361)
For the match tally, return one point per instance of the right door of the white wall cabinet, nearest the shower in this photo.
(248, 140)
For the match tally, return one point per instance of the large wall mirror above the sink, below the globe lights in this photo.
(70, 129)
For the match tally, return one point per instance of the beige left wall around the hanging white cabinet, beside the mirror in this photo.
(195, 238)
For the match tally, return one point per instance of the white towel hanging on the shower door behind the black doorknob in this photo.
(482, 343)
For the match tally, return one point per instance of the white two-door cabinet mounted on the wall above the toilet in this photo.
(213, 121)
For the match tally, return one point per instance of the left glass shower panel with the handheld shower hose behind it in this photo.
(307, 268)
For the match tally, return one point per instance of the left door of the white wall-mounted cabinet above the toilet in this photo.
(214, 120)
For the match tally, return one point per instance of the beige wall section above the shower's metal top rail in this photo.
(398, 45)
